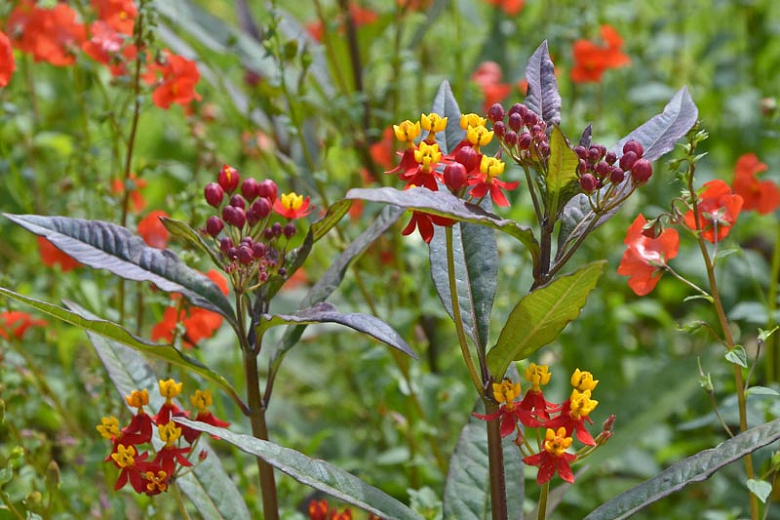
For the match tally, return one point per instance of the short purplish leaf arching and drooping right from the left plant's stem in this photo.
(326, 313)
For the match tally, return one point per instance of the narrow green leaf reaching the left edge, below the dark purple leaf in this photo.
(118, 333)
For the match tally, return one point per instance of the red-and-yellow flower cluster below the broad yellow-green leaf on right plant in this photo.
(561, 422)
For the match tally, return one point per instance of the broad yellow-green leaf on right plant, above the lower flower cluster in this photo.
(541, 315)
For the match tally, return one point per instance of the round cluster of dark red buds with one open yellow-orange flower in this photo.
(252, 243)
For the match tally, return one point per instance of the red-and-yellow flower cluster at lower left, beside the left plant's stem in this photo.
(154, 476)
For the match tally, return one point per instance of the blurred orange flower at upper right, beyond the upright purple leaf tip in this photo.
(591, 60)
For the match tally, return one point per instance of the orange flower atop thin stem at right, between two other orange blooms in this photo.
(718, 209)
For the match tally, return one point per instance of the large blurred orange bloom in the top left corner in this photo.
(50, 35)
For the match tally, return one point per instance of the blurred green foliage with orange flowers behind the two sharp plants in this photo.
(304, 93)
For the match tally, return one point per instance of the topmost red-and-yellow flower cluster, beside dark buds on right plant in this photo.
(466, 171)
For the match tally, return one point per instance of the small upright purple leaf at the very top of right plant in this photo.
(543, 96)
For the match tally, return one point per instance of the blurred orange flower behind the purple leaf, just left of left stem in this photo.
(198, 323)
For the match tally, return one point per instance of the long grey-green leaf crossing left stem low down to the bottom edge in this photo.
(316, 473)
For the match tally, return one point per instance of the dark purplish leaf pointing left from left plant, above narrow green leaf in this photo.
(102, 245)
